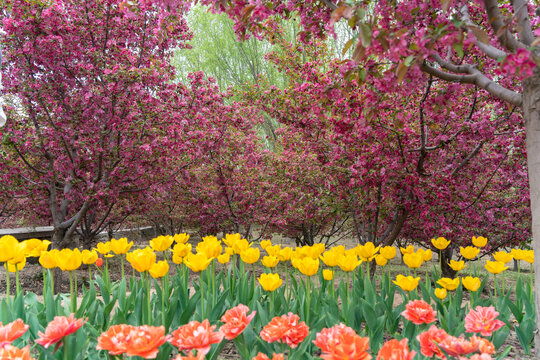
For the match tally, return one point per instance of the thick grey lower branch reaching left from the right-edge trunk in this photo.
(471, 75)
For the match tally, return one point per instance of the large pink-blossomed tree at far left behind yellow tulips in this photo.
(92, 127)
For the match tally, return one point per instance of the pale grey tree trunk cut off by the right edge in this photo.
(531, 112)
